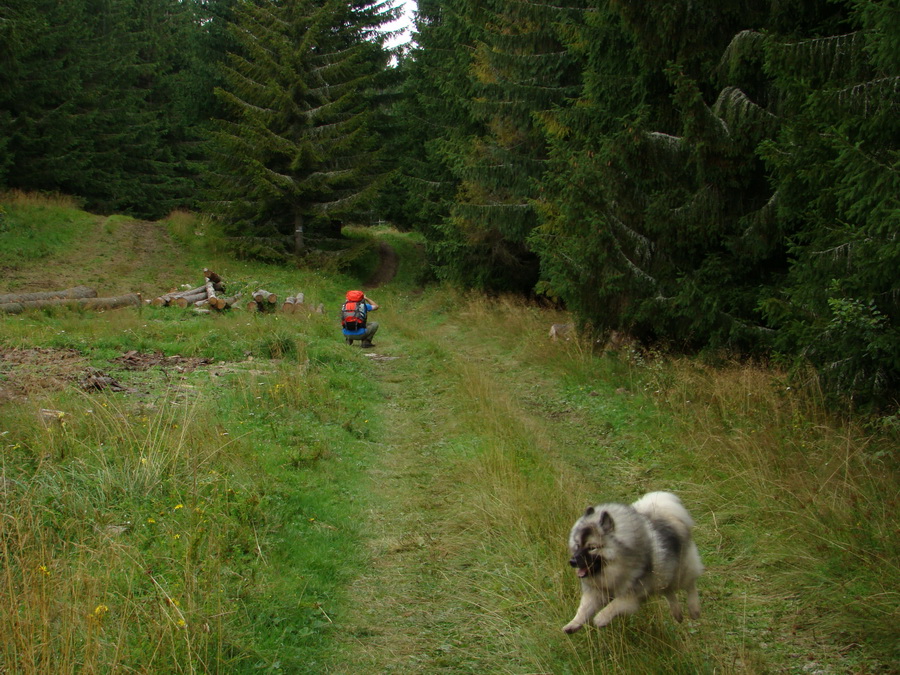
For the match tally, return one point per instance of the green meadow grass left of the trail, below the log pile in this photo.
(201, 514)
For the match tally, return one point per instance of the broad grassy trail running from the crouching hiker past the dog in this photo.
(492, 440)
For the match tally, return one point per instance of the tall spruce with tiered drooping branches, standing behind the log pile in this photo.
(299, 151)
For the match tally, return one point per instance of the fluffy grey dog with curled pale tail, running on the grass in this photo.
(623, 554)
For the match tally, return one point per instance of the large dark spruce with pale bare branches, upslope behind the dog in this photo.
(648, 203)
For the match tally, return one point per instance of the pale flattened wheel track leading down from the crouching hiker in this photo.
(406, 614)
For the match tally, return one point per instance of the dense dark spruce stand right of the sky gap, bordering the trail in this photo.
(702, 174)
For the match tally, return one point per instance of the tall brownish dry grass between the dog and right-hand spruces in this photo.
(809, 495)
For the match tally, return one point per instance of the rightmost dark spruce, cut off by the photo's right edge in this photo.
(834, 165)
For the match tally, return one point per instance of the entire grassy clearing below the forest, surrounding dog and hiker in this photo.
(296, 506)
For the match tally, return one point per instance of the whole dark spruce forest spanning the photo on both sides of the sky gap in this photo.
(701, 174)
